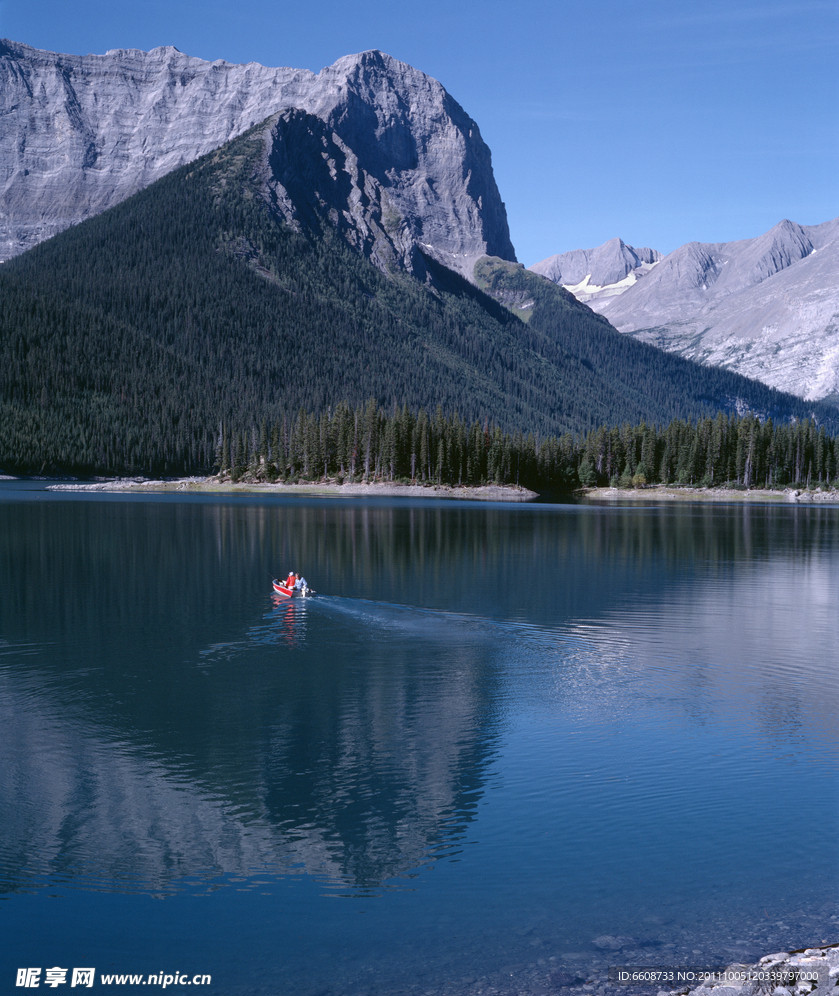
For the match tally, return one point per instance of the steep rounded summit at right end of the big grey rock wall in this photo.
(423, 152)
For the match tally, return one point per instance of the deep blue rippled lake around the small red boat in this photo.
(507, 747)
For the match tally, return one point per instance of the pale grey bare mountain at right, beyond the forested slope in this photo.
(767, 308)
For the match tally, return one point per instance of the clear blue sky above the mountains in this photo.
(661, 122)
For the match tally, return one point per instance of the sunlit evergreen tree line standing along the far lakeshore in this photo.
(367, 443)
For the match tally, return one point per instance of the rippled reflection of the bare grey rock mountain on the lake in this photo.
(344, 781)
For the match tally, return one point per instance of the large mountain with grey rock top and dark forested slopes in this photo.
(351, 245)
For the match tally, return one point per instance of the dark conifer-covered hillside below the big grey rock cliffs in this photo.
(127, 342)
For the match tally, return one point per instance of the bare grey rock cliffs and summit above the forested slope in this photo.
(387, 150)
